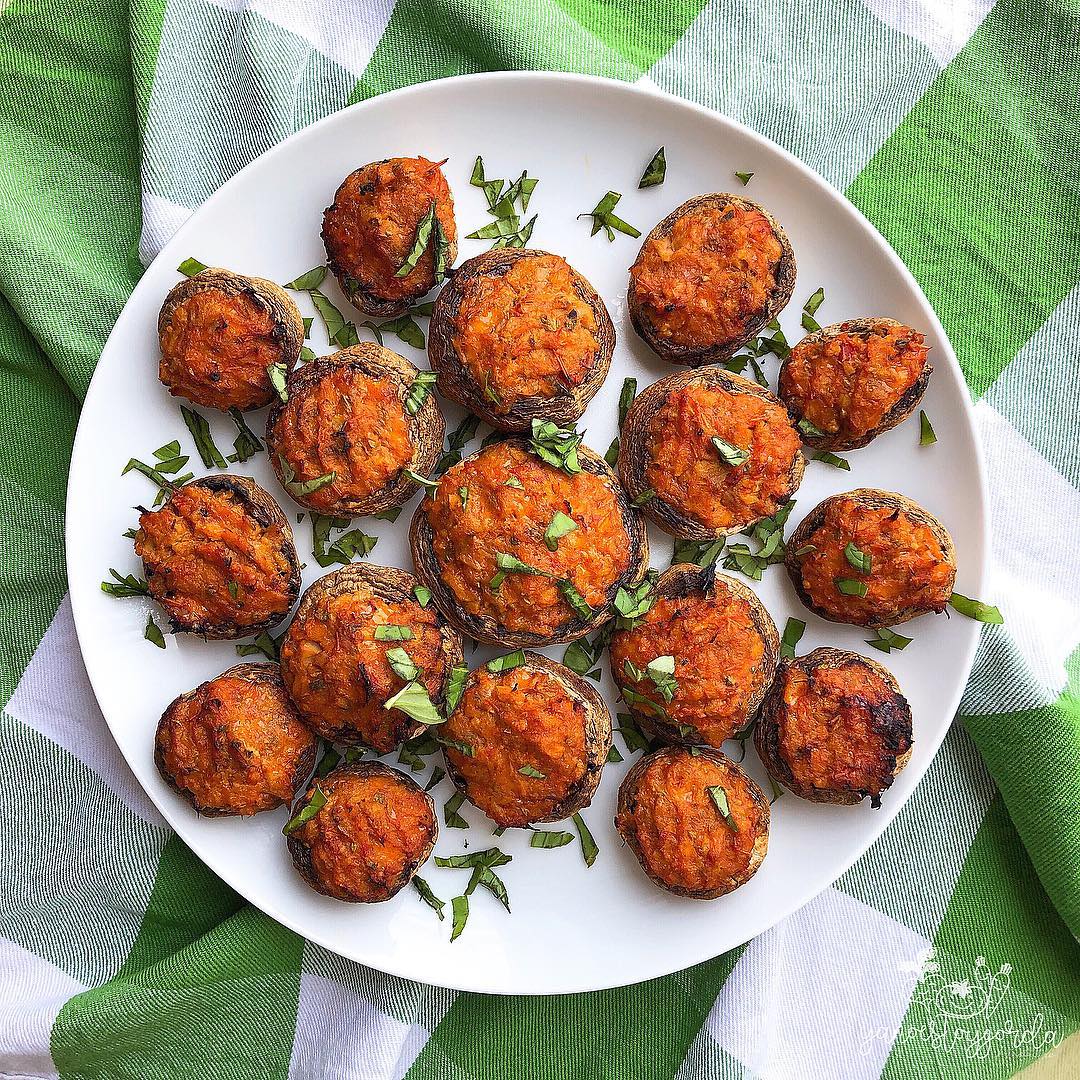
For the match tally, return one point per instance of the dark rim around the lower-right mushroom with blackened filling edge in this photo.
(892, 720)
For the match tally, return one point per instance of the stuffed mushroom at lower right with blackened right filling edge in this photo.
(834, 728)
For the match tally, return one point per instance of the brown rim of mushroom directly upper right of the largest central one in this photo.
(634, 452)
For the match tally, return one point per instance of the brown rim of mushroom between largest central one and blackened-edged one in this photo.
(683, 580)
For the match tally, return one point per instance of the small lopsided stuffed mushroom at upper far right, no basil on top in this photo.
(846, 385)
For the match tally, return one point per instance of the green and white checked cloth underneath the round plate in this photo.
(950, 950)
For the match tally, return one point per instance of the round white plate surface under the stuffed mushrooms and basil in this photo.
(572, 928)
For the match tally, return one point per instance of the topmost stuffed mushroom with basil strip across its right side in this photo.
(372, 228)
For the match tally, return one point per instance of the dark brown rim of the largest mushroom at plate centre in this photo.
(484, 629)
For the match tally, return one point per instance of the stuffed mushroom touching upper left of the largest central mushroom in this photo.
(354, 423)
